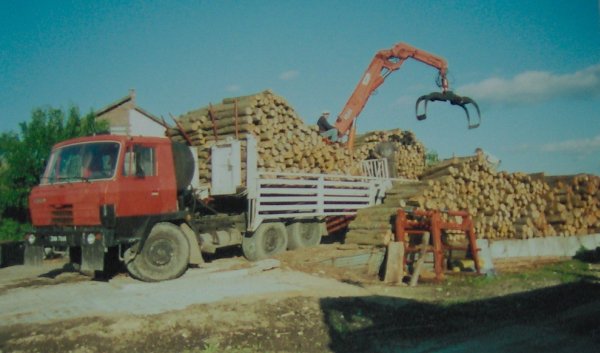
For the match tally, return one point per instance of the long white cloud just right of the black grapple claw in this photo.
(536, 86)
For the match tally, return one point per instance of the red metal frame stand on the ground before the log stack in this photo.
(435, 222)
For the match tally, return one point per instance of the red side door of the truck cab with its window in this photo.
(141, 189)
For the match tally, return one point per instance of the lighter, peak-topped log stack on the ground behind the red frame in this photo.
(503, 205)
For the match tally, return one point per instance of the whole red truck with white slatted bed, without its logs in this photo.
(133, 200)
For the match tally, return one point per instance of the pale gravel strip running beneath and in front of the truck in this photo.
(29, 294)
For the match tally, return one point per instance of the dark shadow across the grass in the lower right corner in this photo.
(565, 318)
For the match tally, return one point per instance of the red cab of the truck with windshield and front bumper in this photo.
(102, 194)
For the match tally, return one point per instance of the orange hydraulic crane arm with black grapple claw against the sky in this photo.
(383, 64)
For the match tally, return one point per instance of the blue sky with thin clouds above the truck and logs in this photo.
(533, 66)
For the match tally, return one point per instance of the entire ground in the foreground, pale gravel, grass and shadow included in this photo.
(299, 303)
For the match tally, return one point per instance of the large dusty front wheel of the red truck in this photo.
(165, 255)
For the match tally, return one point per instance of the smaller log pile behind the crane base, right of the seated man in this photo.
(410, 153)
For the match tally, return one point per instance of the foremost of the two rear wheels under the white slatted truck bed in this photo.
(269, 239)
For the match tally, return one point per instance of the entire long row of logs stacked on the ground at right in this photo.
(502, 205)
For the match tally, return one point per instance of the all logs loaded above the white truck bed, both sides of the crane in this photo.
(285, 143)
